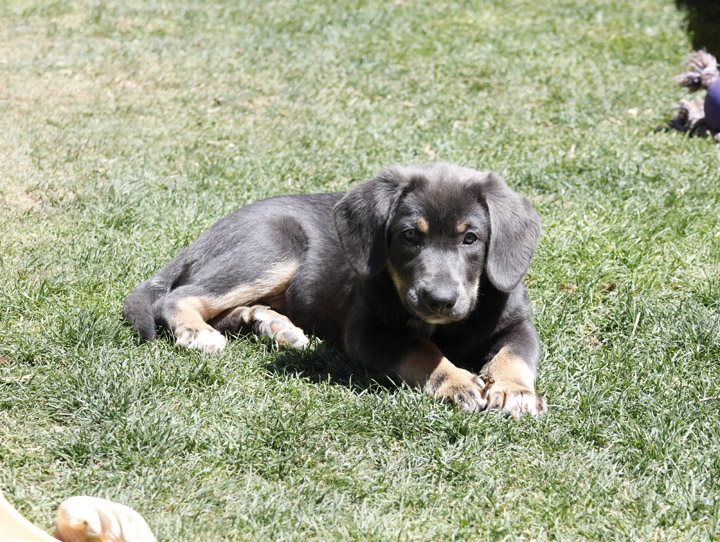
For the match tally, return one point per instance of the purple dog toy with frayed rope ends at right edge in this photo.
(698, 115)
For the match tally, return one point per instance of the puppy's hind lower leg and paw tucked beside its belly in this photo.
(265, 323)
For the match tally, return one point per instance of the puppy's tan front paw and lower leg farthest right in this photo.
(511, 386)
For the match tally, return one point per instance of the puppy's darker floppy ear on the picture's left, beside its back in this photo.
(361, 219)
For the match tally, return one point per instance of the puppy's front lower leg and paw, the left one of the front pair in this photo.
(439, 378)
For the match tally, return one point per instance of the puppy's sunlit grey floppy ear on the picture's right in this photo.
(514, 233)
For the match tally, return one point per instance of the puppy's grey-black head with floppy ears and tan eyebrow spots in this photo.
(438, 229)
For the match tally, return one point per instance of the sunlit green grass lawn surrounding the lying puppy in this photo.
(127, 128)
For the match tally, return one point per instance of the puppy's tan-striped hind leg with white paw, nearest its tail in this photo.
(189, 320)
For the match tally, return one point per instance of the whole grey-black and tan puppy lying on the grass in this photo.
(416, 273)
